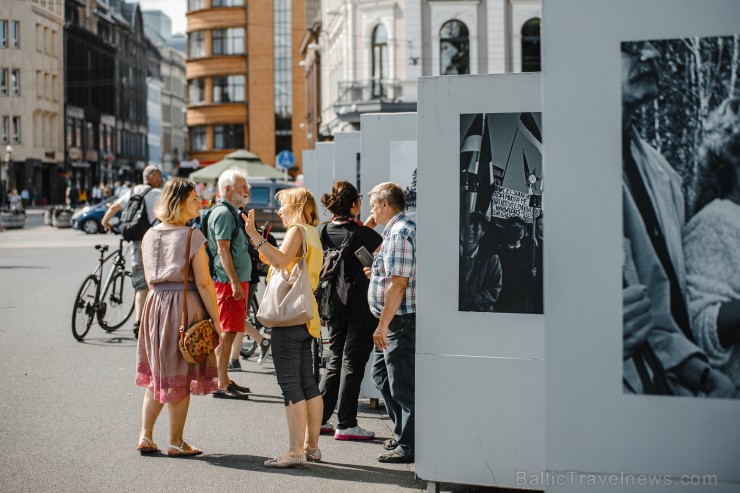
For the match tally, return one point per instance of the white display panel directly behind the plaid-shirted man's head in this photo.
(378, 131)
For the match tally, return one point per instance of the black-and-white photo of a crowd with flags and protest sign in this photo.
(501, 217)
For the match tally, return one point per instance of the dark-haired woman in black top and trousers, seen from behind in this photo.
(351, 328)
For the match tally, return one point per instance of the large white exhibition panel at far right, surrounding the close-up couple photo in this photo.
(591, 425)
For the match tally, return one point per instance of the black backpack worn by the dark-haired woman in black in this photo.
(332, 293)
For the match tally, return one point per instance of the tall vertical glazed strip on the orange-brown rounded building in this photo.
(283, 75)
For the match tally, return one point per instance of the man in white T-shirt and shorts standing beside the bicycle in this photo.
(152, 178)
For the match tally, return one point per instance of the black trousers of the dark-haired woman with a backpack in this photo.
(350, 346)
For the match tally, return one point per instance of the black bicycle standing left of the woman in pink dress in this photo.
(112, 303)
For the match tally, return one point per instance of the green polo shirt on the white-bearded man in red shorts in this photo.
(221, 225)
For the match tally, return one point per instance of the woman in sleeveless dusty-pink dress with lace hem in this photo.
(159, 365)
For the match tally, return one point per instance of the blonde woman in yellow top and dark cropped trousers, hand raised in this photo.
(291, 346)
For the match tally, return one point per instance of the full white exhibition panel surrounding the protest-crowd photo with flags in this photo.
(488, 364)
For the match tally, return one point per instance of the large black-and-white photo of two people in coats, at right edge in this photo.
(681, 209)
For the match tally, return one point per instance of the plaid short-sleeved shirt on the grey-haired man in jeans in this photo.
(397, 257)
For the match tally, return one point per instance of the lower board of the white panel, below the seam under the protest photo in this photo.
(479, 420)
